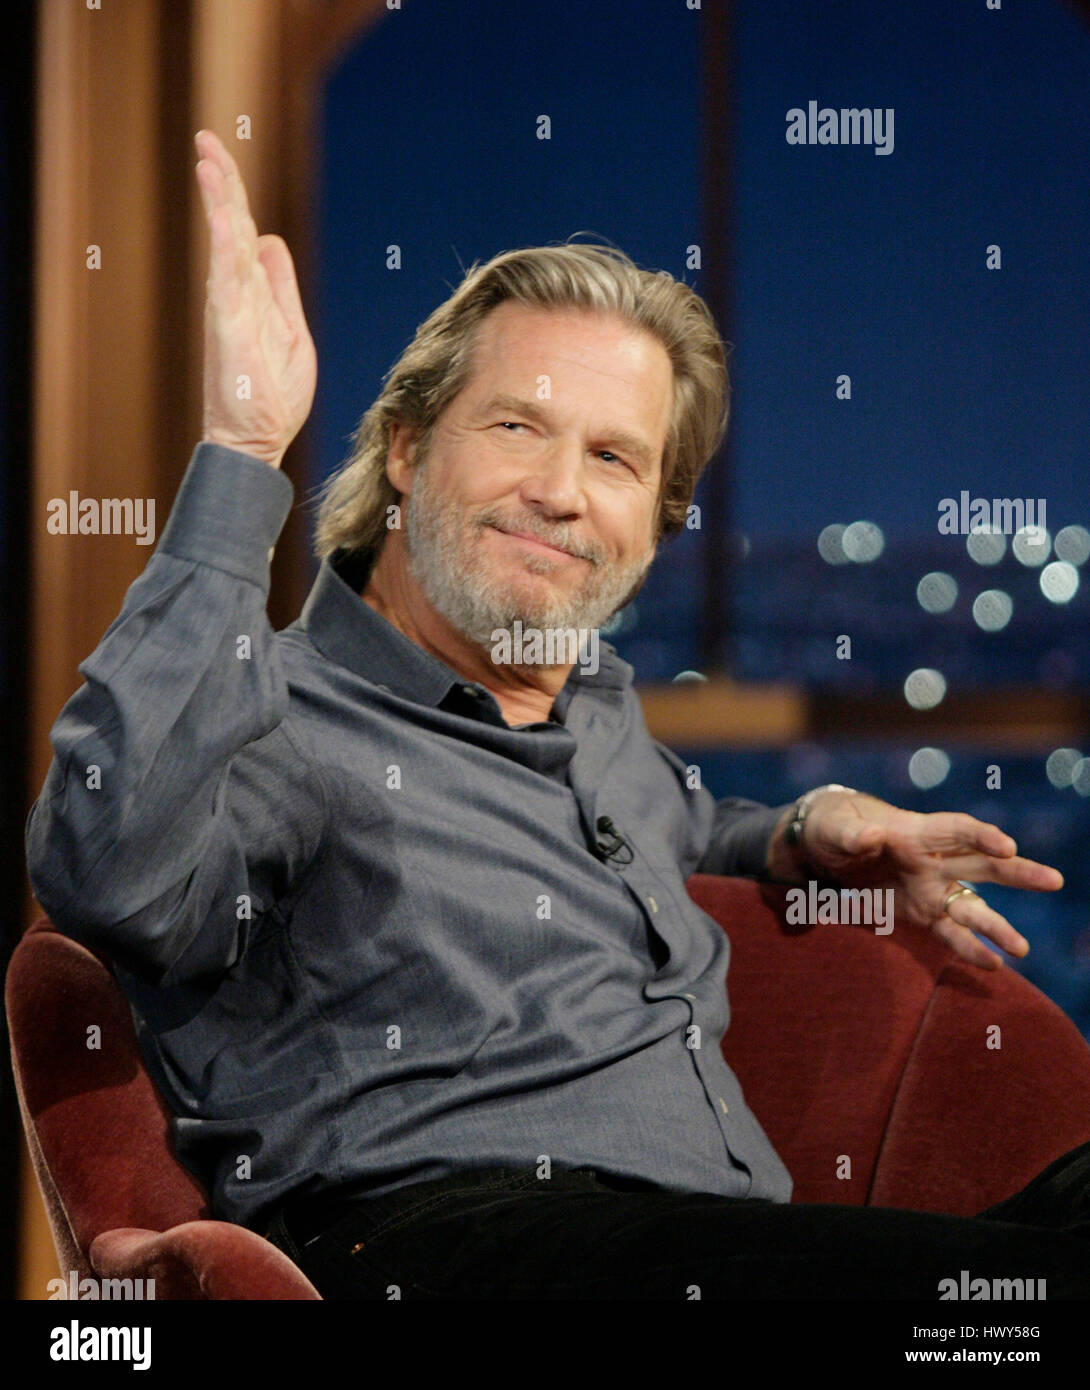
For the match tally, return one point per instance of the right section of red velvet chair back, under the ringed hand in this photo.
(947, 1088)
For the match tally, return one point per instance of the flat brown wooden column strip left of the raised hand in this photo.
(98, 423)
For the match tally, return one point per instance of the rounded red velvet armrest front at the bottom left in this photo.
(201, 1260)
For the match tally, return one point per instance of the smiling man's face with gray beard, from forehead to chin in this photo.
(558, 437)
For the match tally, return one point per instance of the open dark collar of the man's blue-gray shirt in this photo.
(351, 633)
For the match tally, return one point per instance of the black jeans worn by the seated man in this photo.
(496, 1234)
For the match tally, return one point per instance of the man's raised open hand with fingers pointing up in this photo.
(255, 327)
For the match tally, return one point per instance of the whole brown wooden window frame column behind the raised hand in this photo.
(120, 92)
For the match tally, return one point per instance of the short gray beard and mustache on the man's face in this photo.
(447, 558)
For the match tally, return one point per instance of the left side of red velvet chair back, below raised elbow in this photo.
(97, 1127)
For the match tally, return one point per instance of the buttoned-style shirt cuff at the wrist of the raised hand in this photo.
(229, 514)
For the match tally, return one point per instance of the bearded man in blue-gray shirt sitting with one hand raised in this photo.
(404, 926)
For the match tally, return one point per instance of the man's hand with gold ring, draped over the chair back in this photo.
(865, 843)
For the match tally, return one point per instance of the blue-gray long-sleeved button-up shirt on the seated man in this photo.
(372, 935)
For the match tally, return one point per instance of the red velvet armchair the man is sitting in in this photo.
(846, 1043)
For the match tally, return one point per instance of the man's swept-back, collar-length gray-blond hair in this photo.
(439, 363)
